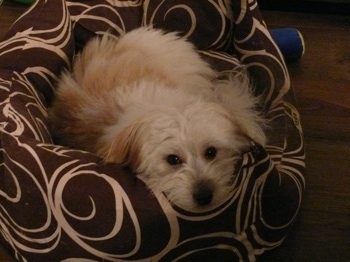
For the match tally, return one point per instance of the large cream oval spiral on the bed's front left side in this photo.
(61, 178)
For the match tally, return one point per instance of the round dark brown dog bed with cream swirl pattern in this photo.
(62, 204)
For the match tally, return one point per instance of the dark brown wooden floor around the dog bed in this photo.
(321, 82)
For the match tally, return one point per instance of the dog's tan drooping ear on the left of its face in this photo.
(125, 148)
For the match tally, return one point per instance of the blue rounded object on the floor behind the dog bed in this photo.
(290, 41)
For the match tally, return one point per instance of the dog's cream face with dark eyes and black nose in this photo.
(189, 156)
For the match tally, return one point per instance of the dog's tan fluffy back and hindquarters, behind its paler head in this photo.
(86, 100)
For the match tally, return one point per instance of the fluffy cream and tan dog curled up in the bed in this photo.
(148, 100)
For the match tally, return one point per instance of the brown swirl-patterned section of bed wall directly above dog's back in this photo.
(158, 14)
